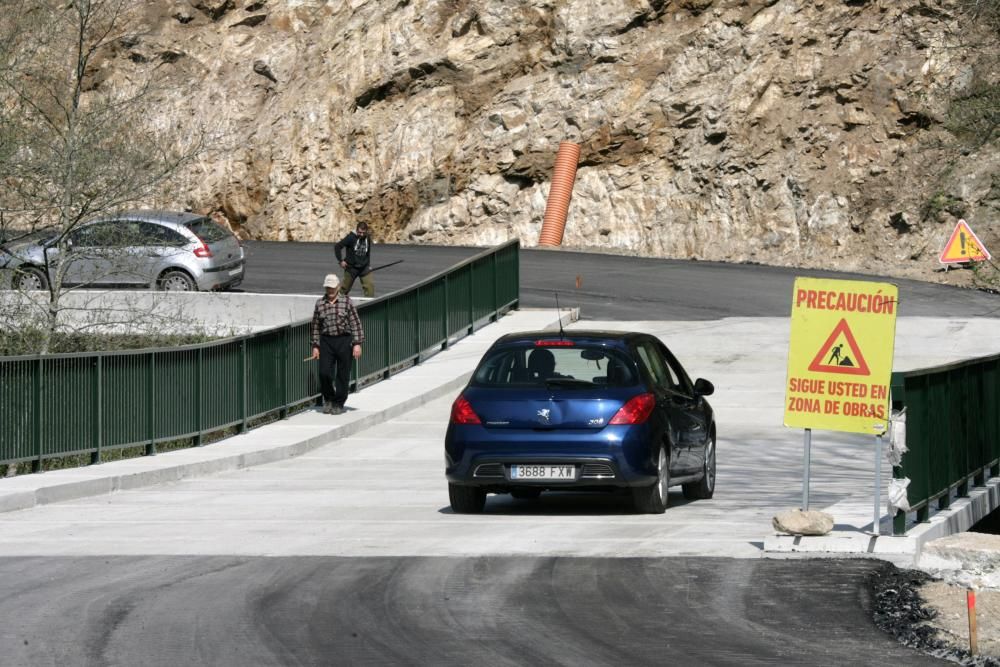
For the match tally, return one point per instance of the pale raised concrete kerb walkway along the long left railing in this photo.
(278, 441)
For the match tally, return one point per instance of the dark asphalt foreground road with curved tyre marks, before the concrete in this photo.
(227, 611)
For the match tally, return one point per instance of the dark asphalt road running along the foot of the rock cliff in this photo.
(612, 287)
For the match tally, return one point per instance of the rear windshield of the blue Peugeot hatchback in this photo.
(570, 366)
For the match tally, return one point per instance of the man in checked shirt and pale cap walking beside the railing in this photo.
(337, 336)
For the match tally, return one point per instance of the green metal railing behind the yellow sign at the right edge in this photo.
(952, 432)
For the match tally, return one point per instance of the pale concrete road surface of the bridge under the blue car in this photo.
(382, 492)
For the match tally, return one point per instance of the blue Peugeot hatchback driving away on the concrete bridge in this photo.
(580, 410)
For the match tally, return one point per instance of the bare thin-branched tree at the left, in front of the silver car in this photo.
(73, 147)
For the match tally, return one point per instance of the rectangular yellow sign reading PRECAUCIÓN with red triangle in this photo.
(840, 355)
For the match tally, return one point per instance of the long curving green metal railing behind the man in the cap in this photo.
(70, 404)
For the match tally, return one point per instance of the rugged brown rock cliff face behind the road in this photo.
(807, 133)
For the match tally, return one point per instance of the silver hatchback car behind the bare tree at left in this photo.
(156, 249)
